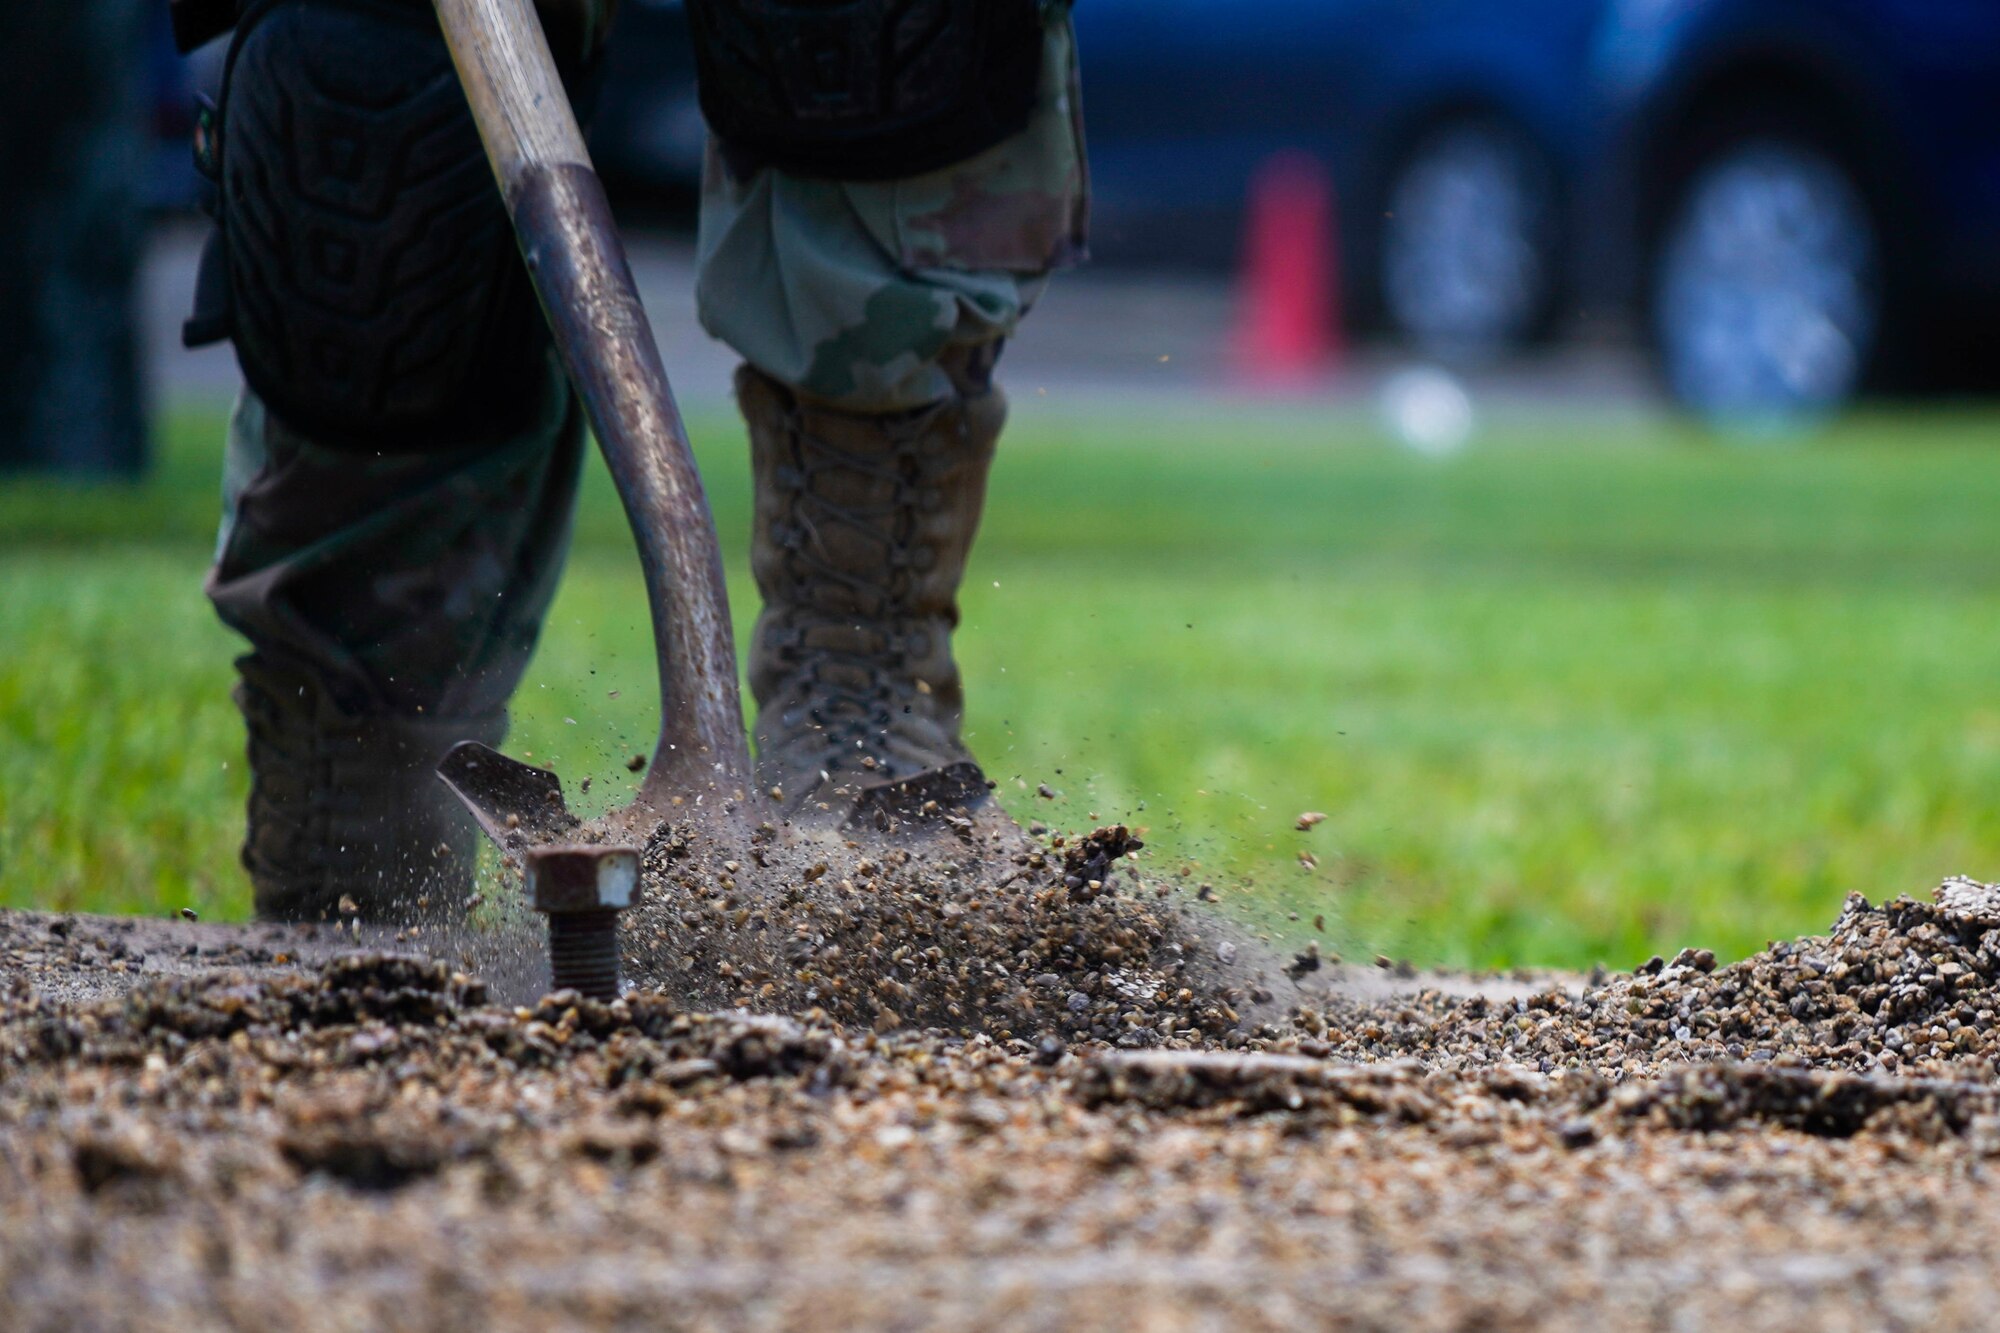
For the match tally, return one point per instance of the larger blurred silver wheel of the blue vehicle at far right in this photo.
(1773, 281)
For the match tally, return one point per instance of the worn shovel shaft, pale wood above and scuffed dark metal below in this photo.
(579, 269)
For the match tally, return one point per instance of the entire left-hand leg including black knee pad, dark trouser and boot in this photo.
(403, 461)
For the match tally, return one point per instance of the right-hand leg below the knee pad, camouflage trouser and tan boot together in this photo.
(871, 317)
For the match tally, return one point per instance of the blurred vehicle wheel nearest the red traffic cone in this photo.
(1469, 241)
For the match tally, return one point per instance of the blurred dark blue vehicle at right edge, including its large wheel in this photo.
(1801, 199)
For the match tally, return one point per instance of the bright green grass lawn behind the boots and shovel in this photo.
(1581, 694)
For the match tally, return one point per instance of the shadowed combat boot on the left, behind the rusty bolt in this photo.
(351, 808)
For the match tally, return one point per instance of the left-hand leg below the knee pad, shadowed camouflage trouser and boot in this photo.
(391, 607)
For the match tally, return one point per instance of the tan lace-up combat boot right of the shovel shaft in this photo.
(863, 529)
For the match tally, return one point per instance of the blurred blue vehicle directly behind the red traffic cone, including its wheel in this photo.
(1451, 133)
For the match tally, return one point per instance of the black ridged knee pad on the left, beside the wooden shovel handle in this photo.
(365, 263)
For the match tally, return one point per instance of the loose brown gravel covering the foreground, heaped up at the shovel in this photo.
(287, 1136)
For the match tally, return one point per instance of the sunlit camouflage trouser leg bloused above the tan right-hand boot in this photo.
(851, 291)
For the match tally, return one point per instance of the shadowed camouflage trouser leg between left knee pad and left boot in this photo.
(403, 581)
